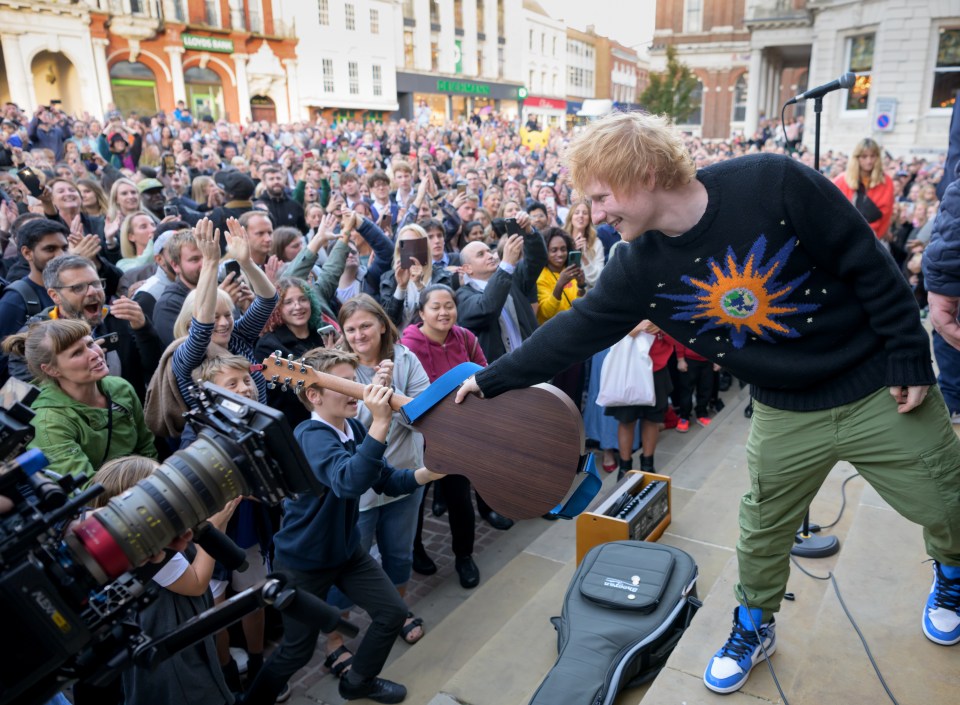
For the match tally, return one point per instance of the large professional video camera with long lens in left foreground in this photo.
(70, 601)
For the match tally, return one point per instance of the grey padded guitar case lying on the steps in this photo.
(625, 610)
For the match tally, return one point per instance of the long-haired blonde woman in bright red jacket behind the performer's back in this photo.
(868, 187)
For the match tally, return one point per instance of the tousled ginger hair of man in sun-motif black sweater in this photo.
(624, 150)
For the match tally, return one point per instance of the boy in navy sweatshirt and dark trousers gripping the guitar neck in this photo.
(318, 544)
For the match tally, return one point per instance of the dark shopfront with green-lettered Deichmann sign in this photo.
(433, 100)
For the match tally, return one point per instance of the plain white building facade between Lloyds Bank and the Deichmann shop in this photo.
(350, 47)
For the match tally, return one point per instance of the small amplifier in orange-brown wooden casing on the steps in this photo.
(638, 509)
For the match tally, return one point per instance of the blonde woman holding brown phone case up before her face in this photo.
(400, 287)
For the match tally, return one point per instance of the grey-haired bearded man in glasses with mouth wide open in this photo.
(77, 292)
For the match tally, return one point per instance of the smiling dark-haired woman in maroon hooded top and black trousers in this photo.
(440, 345)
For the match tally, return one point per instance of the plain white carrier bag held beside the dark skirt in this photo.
(626, 378)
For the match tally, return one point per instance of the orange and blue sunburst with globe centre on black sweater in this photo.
(746, 299)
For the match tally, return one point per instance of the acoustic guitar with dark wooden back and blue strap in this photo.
(521, 450)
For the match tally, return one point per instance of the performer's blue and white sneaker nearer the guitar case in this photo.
(730, 667)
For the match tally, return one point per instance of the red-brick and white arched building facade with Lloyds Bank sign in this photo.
(231, 59)
